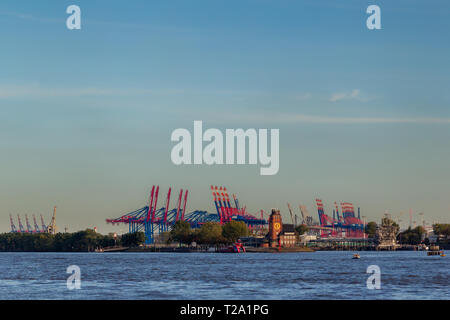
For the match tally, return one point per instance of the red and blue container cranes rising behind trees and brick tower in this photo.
(153, 220)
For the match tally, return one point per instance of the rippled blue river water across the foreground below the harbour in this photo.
(318, 275)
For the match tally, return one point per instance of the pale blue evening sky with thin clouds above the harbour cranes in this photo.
(86, 115)
